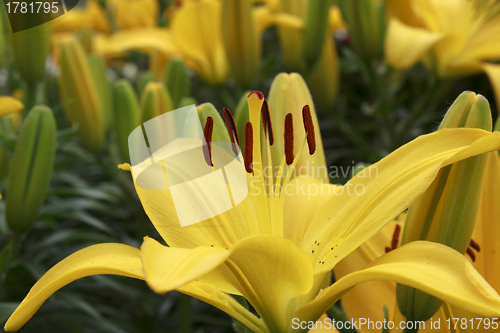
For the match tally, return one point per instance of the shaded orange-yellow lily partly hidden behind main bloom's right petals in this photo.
(367, 300)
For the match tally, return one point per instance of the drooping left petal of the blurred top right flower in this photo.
(405, 45)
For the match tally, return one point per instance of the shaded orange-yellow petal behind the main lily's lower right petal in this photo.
(367, 300)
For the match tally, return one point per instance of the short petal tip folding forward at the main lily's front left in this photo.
(167, 268)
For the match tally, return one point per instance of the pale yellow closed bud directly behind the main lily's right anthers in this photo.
(289, 94)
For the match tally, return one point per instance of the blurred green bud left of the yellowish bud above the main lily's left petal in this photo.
(127, 114)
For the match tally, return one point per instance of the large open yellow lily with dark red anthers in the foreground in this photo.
(277, 249)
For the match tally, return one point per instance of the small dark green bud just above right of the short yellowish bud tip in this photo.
(176, 80)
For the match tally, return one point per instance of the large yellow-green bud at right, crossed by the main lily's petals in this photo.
(447, 211)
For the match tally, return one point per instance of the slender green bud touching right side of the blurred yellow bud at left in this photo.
(98, 70)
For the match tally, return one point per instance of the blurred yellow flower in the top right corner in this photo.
(451, 37)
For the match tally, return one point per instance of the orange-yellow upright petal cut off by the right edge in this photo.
(487, 229)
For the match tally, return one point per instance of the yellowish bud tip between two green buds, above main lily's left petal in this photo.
(155, 100)
